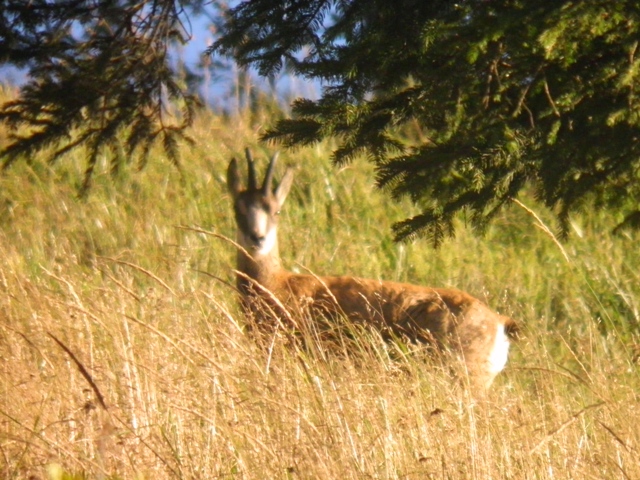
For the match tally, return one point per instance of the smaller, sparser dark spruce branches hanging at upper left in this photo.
(99, 76)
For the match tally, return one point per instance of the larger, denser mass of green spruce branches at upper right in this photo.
(461, 105)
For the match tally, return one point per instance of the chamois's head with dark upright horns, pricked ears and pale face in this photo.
(256, 207)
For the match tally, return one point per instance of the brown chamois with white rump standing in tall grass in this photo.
(444, 317)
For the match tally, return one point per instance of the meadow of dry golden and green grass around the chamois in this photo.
(120, 285)
